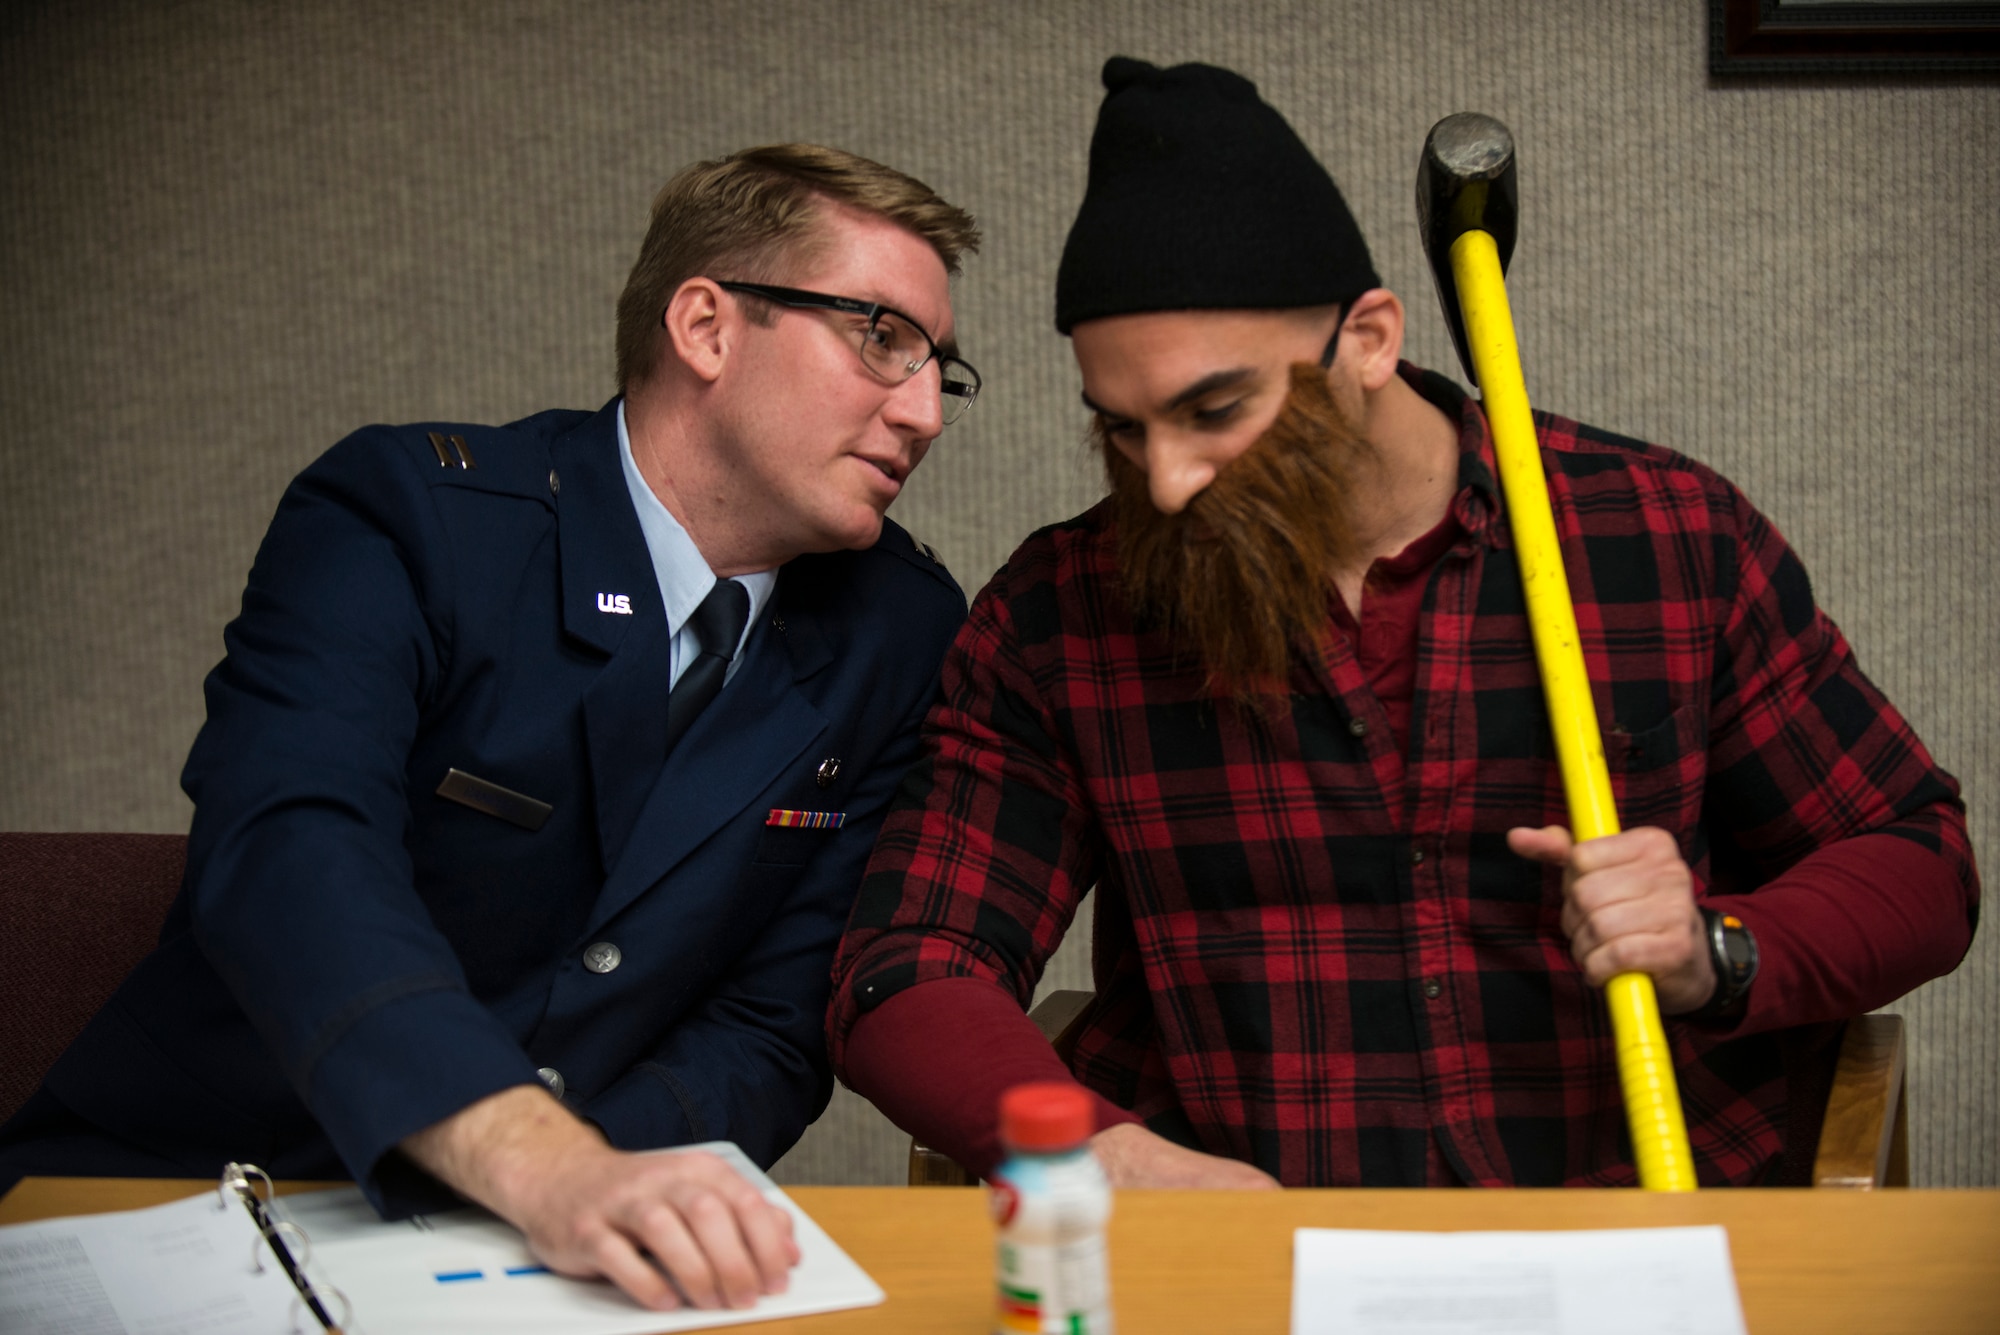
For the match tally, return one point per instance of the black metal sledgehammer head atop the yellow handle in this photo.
(1465, 183)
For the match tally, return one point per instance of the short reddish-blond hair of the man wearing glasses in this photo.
(755, 217)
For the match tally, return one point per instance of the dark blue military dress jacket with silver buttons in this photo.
(355, 958)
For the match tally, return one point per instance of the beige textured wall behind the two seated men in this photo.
(235, 231)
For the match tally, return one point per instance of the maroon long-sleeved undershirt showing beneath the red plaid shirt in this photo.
(939, 1056)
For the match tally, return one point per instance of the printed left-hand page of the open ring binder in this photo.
(189, 1268)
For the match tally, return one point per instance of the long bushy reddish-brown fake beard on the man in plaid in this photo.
(1245, 571)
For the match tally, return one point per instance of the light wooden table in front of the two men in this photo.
(1811, 1262)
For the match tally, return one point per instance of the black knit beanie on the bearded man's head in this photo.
(1203, 199)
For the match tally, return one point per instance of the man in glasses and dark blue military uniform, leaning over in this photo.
(545, 760)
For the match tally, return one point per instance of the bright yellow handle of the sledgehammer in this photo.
(1645, 1062)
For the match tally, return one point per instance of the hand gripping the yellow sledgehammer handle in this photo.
(1629, 908)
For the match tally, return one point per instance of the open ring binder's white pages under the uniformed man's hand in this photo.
(187, 1270)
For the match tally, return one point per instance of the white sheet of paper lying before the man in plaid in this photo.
(1639, 1282)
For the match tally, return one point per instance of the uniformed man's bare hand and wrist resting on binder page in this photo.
(597, 1212)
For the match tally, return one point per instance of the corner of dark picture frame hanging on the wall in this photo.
(1853, 37)
